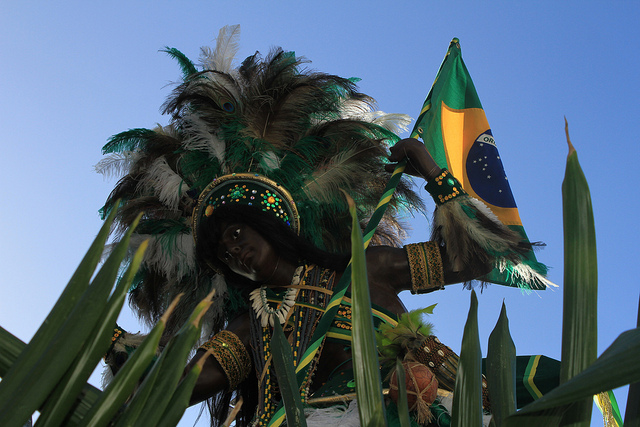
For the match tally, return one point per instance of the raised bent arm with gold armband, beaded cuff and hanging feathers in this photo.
(467, 239)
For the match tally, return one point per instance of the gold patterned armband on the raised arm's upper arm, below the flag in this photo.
(425, 264)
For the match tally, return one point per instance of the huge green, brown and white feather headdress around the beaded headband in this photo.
(309, 132)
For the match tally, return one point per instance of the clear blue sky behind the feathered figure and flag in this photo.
(71, 75)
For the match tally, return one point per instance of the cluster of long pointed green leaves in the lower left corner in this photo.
(49, 374)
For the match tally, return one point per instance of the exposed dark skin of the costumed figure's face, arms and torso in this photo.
(247, 253)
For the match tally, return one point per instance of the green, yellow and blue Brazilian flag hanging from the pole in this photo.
(456, 132)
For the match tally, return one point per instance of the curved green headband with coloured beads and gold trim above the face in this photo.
(248, 189)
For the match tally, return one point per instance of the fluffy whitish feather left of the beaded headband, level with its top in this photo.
(167, 185)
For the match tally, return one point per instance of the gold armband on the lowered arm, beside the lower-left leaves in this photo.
(232, 355)
